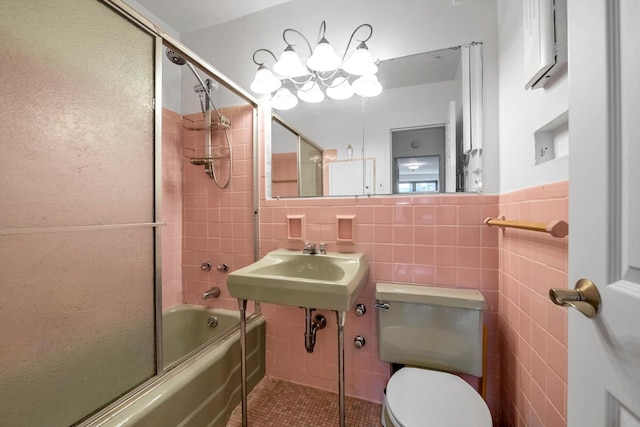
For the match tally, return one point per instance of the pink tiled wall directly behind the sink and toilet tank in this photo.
(436, 240)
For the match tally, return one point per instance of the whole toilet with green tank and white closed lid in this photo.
(434, 332)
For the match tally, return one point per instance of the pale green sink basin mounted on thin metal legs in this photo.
(330, 281)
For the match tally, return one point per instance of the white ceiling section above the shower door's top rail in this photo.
(185, 16)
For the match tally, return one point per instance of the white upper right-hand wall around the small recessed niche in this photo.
(521, 111)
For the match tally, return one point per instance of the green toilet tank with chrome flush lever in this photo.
(430, 327)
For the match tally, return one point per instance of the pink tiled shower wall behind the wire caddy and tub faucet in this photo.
(217, 223)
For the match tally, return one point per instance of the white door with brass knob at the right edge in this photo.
(604, 210)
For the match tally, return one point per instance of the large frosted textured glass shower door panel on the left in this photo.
(77, 249)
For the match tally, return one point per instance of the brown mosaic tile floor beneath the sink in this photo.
(277, 403)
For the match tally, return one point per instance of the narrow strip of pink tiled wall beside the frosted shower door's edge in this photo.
(171, 208)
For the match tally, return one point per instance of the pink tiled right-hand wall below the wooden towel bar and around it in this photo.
(533, 331)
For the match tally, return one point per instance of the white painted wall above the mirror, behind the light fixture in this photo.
(401, 27)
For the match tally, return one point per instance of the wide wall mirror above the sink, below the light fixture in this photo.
(423, 132)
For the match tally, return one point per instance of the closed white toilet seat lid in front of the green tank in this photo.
(419, 397)
